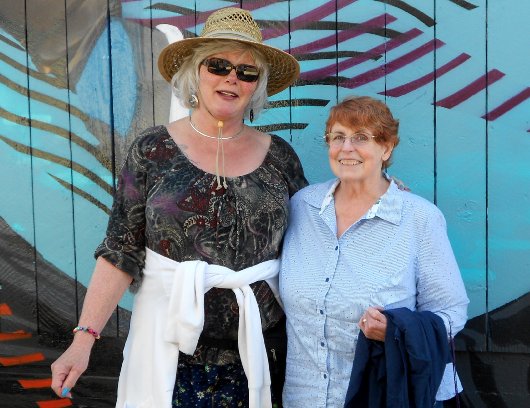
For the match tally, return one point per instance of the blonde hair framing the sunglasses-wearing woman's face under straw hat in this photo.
(185, 82)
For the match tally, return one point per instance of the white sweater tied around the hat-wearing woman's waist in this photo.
(168, 317)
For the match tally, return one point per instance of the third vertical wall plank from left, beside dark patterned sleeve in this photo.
(91, 128)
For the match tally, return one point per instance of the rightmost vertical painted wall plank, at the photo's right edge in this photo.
(508, 150)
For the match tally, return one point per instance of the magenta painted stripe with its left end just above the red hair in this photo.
(392, 66)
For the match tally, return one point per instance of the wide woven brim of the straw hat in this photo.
(283, 67)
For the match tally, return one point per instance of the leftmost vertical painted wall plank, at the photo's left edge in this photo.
(17, 258)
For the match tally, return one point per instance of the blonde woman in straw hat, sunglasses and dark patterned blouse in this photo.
(196, 226)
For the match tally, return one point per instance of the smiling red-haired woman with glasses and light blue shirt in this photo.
(358, 250)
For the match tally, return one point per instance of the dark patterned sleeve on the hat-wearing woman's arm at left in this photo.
(124, 243)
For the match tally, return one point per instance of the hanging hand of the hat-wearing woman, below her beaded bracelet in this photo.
(67, 369)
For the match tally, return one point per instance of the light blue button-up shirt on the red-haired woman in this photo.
(396, 255)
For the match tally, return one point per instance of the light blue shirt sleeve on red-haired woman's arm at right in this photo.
(439, 282)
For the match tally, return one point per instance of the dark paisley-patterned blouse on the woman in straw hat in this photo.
(165, 203)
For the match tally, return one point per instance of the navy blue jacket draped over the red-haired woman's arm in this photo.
(406, 369)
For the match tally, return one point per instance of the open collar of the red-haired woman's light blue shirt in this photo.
(389, 207)
